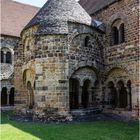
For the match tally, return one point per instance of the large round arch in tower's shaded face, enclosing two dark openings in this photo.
(82, 88)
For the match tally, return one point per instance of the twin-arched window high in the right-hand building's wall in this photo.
(117, 32)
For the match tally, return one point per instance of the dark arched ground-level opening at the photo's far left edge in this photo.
(4, 96)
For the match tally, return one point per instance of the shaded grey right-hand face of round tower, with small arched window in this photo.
(86, 62)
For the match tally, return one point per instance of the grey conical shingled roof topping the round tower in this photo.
(54, 15)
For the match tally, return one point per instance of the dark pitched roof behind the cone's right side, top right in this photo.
(92, 6)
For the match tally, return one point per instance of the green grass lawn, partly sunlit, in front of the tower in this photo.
(100, 130)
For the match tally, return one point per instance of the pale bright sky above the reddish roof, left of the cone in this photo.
(38, 3)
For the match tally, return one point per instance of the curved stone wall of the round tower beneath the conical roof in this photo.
(48, 62)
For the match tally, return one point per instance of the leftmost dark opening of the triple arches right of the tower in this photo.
(112, 95)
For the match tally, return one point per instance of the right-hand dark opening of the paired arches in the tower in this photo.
(85, 94)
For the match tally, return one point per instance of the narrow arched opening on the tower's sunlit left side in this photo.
(30, 95)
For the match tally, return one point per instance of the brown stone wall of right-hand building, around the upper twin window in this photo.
(124, 56)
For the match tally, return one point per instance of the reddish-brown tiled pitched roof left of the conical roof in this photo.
(14, 16)
